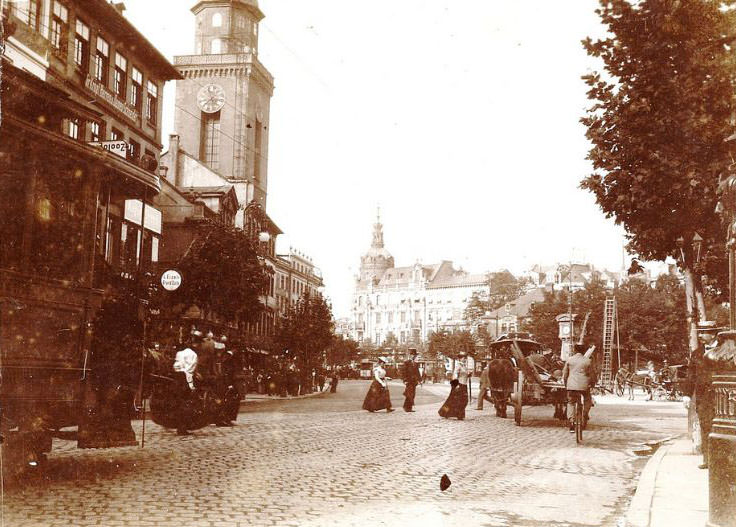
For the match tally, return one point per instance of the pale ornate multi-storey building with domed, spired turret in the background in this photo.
(408, 302)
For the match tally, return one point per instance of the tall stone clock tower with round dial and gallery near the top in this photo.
(223, 101)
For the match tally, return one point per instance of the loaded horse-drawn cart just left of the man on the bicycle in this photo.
(523, 375)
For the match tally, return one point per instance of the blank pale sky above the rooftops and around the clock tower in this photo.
(459, 118)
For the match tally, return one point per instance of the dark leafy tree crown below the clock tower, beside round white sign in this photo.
(221, 272)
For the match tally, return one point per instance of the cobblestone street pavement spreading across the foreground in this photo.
(321, 461)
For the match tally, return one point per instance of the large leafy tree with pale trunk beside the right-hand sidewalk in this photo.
(657, 125)
